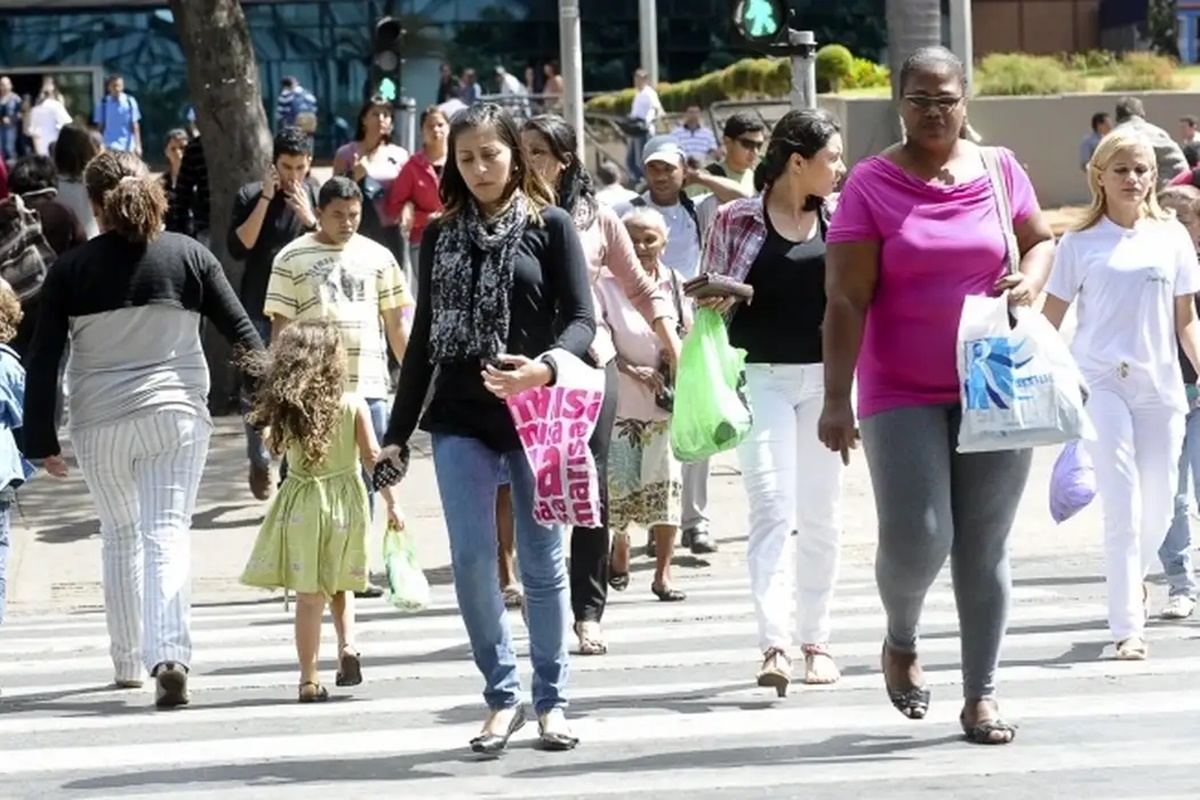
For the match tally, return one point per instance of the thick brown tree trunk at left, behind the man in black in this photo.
(223, 79)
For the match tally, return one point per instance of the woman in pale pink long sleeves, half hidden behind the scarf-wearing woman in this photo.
(553, 146)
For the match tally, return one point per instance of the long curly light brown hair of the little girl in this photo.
(301, 382)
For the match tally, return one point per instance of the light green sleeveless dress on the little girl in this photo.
(314, 539)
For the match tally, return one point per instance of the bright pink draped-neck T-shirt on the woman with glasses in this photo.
(940, 244)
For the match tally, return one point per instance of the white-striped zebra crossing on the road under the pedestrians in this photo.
(671, 709)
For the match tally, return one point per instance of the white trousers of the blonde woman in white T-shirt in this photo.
(1136, 456)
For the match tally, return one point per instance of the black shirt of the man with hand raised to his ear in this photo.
(280, 228)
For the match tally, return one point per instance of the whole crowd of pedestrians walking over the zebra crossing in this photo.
(491, 260)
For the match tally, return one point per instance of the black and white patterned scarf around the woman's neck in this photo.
(471, 317)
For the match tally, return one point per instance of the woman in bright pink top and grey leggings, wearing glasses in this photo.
(917, 231)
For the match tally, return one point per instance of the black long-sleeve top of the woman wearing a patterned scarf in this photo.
(551, 308)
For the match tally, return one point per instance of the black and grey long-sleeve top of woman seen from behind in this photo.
(134, 315)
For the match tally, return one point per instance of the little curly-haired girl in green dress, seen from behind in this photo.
(314, 539)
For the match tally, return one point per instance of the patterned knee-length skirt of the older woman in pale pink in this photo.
(645, 478)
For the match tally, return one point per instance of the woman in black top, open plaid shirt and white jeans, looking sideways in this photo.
(776, 243)
